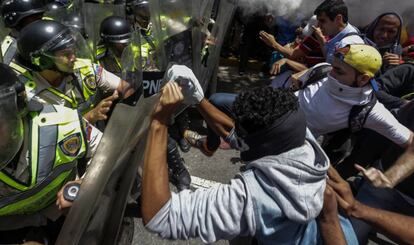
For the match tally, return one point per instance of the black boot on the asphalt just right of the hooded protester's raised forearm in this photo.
(179, 175)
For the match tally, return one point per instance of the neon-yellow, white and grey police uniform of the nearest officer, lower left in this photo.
(55, 138)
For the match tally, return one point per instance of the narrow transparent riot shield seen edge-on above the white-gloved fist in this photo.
(217, 27)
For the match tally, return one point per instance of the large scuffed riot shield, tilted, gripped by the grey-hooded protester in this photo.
(97, 211)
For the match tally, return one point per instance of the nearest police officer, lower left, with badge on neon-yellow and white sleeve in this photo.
(39, 151)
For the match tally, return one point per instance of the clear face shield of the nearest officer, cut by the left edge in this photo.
(11, 126)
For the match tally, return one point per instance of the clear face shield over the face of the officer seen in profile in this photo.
(65, 49)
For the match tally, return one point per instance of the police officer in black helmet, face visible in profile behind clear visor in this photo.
(61, 71)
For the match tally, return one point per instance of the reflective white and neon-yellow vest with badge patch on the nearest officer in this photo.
(50, 166)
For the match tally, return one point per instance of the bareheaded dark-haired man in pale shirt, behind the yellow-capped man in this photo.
(333, 22)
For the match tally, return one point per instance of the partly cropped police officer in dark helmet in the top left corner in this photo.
(16, 15)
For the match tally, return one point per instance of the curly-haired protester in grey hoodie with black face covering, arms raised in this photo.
(252, 204)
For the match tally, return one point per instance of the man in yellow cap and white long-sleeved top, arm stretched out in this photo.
(328, 103)
